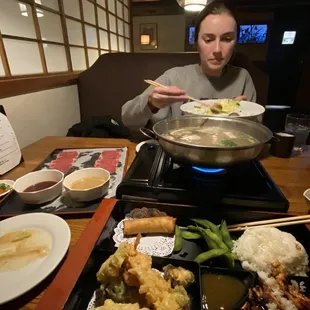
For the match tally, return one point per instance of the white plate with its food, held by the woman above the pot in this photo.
(224, 107)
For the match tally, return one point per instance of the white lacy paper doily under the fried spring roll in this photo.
(151, 245)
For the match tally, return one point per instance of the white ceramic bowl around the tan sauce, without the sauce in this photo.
(87, 194)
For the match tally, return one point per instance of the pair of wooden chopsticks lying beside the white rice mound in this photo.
(294, 220)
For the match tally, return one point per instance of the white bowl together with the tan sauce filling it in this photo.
(87, 184)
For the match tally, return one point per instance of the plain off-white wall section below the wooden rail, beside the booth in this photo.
(46, 113)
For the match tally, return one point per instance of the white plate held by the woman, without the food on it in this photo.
(247, 109)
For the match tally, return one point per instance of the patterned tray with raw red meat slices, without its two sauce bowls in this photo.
(69, 160)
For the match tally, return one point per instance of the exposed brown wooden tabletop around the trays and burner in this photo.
(292, 175)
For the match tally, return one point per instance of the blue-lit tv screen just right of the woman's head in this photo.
(252, 34)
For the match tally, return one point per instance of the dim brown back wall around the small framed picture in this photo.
(170, 33)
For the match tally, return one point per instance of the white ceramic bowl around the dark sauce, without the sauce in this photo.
(36, 177)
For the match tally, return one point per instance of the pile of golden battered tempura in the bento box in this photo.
(128, 282)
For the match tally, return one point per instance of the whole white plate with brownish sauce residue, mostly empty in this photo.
(31, 247)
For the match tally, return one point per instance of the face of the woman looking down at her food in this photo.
(216, 41)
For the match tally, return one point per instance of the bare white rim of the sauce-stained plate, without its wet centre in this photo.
(15, 283)
